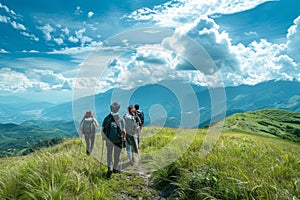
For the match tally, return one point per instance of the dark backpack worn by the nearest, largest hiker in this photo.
(112, 129)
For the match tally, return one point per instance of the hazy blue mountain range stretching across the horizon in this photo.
(159, 103)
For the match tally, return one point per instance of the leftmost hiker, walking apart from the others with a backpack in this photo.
(88, 127)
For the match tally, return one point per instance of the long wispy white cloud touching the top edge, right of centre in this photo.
(176, 13)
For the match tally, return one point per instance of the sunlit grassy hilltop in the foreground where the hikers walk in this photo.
(241, 166)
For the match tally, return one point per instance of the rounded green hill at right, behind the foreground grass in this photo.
(279, 123)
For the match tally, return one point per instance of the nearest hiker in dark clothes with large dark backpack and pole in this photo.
(113, 131)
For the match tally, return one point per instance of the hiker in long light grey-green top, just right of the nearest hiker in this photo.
(131, 126)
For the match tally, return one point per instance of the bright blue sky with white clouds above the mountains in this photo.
(45, 43)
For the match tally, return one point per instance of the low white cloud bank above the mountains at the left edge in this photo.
(32, 80)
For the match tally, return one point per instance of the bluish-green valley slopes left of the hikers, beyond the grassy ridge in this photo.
(21, 139)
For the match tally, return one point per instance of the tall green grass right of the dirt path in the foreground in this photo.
(240, 167)
